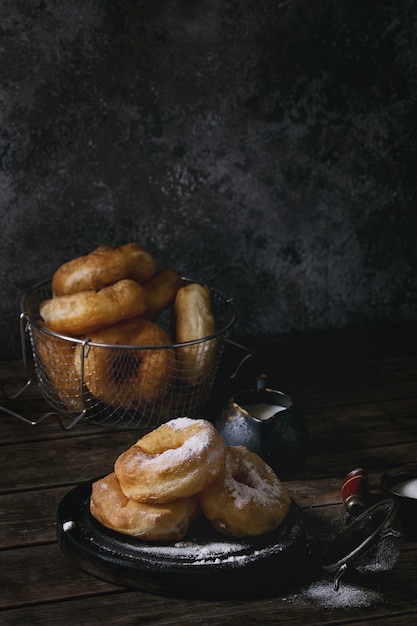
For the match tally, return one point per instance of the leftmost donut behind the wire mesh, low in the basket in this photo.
(56, 362)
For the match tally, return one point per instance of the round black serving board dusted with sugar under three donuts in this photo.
(205, 564)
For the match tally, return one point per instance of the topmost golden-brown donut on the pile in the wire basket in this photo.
(104, 266)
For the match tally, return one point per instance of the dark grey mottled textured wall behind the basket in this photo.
(266, 147)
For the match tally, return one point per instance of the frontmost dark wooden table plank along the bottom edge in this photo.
(132, 609)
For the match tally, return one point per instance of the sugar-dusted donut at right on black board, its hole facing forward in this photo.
(248, 500)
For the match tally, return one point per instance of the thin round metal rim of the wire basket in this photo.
(87, 342)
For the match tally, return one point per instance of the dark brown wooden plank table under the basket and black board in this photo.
(358, 391)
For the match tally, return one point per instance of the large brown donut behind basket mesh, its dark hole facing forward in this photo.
(128, 378)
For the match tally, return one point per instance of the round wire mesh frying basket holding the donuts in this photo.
(119, 385)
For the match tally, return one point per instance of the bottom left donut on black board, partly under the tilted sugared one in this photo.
(150, 522)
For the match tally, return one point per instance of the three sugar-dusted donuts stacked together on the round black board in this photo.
(184, 469)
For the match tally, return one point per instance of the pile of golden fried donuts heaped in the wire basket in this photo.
(113, 297)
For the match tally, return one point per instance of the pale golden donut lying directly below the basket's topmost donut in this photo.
(84, 312)
